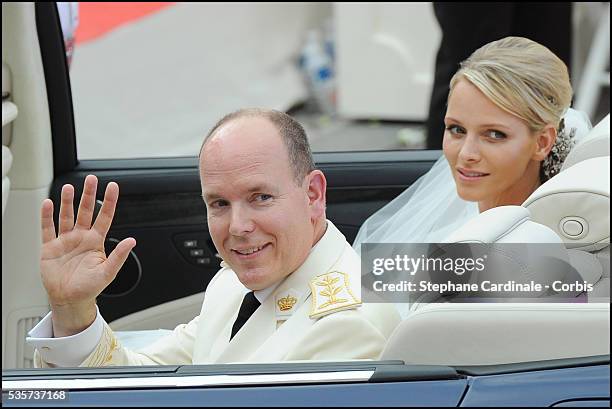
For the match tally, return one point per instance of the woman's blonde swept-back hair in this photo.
(523, 78)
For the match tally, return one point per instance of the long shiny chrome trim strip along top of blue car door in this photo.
(185, 381)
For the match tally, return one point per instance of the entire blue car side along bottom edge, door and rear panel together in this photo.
(559, 383)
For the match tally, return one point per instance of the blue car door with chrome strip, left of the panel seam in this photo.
(377, 383)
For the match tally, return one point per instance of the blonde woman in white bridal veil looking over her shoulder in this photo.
(505, 135)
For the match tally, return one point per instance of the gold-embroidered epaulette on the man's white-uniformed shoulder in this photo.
(331, 292)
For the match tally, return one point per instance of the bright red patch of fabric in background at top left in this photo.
(97, 19)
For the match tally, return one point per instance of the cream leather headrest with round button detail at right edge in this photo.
(576, 204)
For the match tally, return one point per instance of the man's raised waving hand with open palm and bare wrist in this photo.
(73, 264)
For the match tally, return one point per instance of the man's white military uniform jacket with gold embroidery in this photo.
(314, 314)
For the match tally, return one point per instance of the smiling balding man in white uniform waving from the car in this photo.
(266, 215)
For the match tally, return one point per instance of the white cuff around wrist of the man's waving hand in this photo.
(65, 351)
